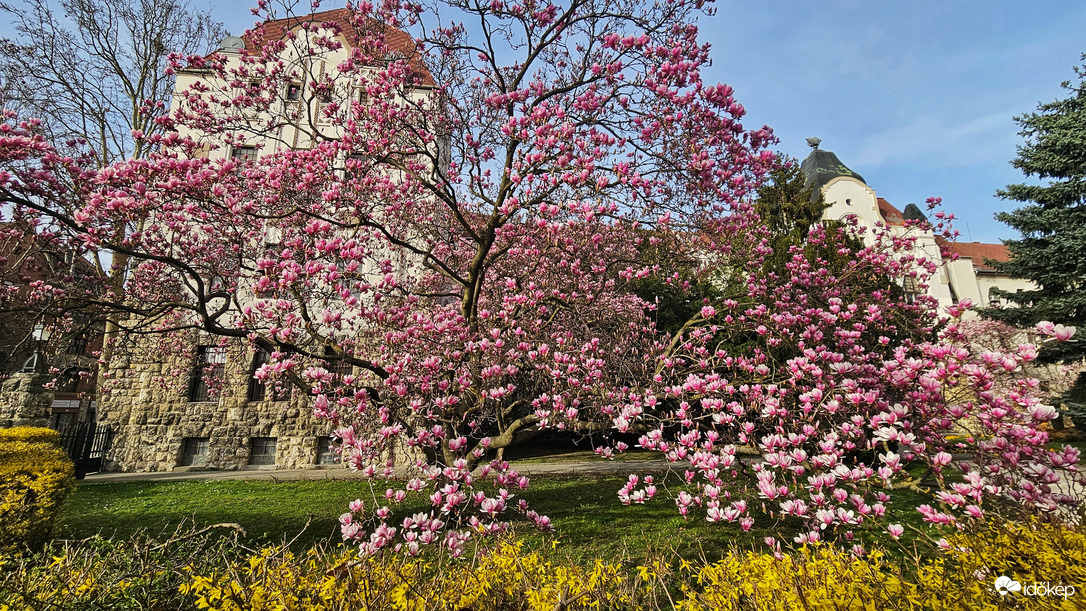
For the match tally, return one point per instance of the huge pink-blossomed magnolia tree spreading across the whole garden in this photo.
(469, 217)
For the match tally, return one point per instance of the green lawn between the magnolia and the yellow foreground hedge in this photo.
(590, 520)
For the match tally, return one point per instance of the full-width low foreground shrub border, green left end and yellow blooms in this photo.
(195, 570)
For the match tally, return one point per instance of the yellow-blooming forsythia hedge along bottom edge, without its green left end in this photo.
(812, 579)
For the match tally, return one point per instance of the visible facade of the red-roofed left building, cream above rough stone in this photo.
(198, 405)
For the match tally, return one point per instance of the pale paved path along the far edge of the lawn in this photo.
(579, 468)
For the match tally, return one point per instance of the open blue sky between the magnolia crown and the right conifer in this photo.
(918, 97)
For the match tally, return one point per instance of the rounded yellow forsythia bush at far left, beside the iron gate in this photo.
(35, 478)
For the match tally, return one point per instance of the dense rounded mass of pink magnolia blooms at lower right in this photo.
(818, 394)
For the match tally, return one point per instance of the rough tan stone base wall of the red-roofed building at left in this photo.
(148, 408)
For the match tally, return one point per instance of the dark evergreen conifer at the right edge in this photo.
(1052, 251)
